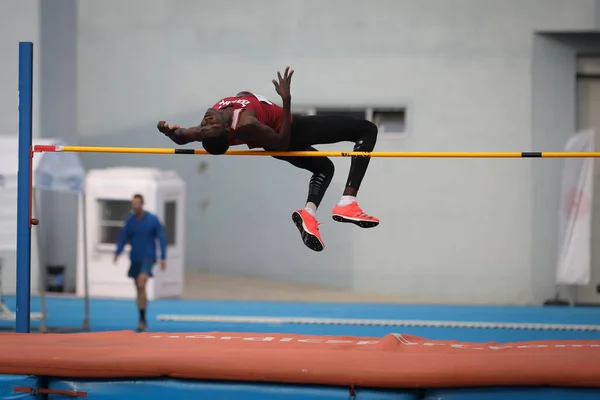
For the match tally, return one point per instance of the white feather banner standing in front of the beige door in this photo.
(575, 213)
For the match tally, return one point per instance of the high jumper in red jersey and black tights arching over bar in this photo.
(255, 121)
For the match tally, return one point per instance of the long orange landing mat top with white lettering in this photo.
(394, 361)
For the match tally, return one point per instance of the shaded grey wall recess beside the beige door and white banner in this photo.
(553, 121)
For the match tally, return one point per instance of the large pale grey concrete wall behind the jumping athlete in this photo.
(471, 73)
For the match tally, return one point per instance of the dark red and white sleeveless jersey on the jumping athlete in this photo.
(266, 112)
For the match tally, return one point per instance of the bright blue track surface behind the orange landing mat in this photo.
(110, 315)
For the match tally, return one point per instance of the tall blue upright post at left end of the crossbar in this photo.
(24, 187)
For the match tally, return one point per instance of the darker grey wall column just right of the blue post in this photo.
(58, 119)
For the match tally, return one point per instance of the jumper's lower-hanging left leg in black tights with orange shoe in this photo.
(305, 219)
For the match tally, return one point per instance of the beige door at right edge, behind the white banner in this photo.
(588, 117)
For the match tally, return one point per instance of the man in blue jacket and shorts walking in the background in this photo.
(141, 230)
